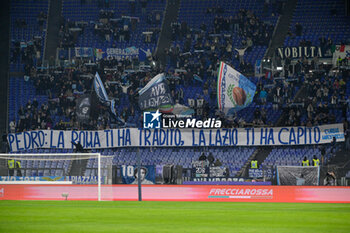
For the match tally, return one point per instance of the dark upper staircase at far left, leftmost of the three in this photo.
(53, 26)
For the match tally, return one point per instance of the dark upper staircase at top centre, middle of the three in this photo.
(170, 16)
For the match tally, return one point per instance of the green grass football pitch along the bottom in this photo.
(128, 217)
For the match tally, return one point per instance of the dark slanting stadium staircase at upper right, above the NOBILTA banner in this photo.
(282, 27)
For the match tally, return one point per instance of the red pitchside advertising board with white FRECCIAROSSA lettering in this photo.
(218, 193)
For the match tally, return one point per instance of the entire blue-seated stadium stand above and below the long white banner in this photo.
(203, 35)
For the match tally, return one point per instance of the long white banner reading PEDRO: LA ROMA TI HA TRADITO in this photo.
(176, 137)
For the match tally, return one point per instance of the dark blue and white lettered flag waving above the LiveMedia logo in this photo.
(156, 95)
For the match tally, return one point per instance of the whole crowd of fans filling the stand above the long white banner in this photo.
(192, 64)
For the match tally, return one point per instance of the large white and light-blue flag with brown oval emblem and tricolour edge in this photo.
(235, 91)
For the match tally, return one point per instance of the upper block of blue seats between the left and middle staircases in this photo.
(115, 26)
